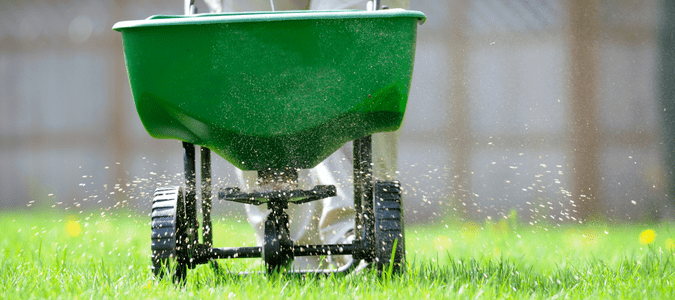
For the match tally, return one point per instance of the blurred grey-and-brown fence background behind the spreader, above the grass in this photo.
(558, 110)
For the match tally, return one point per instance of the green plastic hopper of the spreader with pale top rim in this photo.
(271, 90)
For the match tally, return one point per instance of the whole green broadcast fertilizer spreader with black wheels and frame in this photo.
(273, 92)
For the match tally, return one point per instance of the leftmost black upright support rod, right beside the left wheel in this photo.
(190, 190)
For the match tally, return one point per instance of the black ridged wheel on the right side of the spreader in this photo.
(389, 233)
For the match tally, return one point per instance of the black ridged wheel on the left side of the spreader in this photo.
(169, 233)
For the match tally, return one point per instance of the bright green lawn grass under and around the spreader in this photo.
(109, 258)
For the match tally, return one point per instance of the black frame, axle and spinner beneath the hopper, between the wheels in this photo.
(278, 249)
